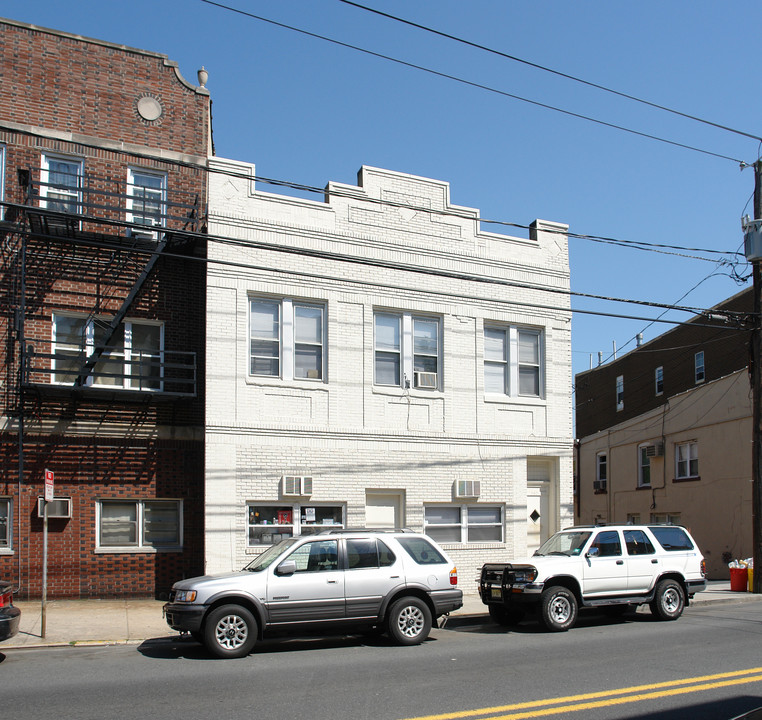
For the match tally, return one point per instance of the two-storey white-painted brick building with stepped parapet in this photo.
(363, 367)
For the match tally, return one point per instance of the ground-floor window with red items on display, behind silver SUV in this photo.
(269, 523)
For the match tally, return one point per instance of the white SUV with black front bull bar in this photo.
(616, 566)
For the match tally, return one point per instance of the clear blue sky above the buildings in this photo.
(308, 111)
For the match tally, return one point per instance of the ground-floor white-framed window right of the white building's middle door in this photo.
(464, 523)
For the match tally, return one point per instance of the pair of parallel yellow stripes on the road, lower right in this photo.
(605, 698)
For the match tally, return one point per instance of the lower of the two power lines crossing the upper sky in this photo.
(480, 86)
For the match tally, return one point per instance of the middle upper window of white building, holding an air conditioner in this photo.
(407, 350)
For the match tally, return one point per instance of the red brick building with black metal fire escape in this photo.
(103, 154)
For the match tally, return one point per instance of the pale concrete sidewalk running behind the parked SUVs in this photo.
(115, 622)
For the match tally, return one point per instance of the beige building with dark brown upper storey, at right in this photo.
(665, 436)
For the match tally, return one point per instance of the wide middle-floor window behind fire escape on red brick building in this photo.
(132, 360)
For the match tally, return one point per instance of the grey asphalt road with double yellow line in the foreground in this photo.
(706, 665)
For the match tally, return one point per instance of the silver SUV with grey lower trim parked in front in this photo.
(397, 582)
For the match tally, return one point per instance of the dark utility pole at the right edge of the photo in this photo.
(756, 384)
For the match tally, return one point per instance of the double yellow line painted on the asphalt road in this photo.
(637, 689)
